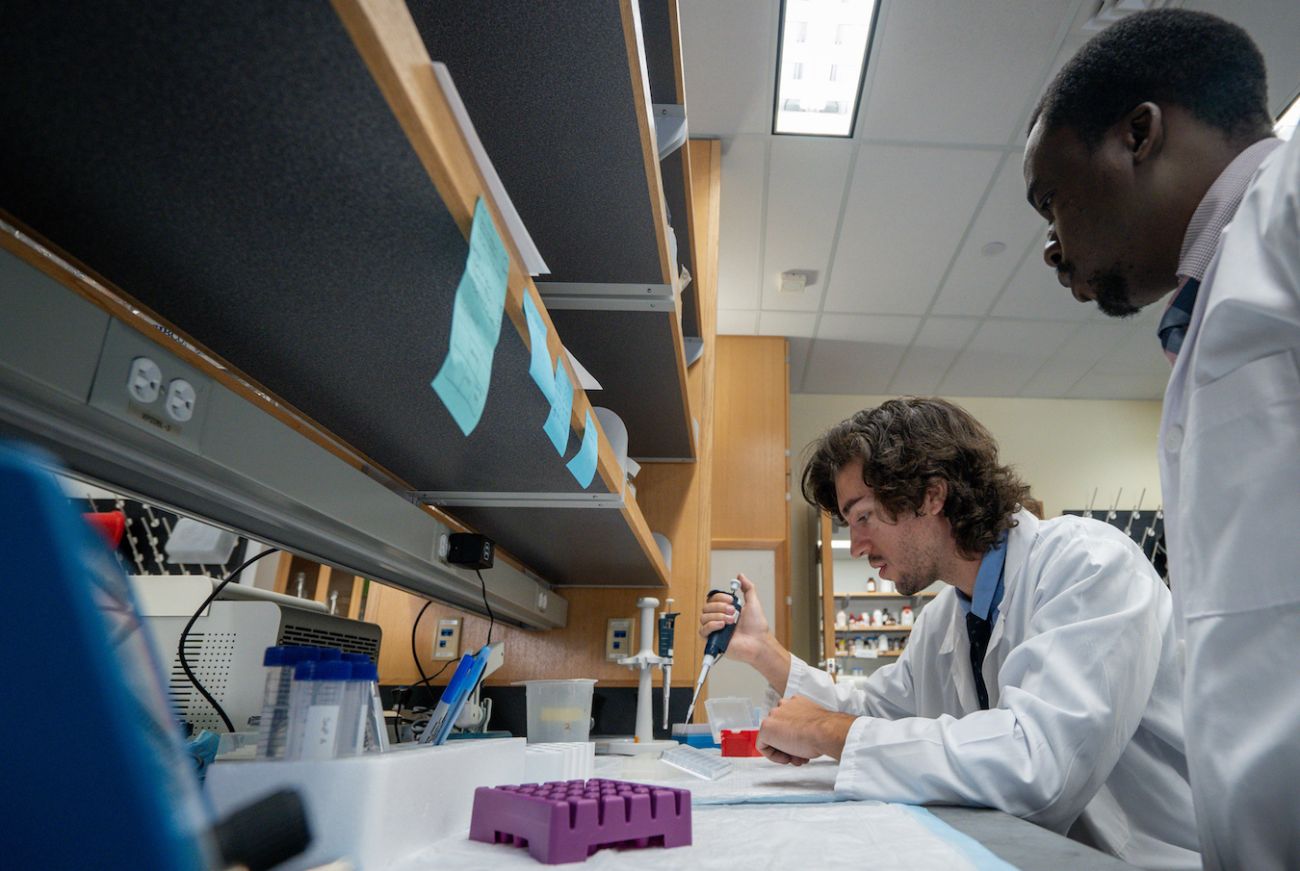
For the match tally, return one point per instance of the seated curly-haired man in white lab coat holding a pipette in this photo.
(1043, 683)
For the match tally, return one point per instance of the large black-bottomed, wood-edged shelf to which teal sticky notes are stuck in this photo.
(250, 176)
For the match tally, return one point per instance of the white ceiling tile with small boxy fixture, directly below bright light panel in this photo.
(805, 187)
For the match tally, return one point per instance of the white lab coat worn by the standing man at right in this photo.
(1230, 474)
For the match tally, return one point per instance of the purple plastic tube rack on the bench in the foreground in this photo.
(567, 821)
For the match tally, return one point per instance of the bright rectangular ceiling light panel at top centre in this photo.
(821, 66)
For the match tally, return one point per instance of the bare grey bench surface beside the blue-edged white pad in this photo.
(1028, 847)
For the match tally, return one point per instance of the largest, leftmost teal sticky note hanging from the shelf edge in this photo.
(466, 374)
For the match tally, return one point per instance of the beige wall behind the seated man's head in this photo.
(1063, 448)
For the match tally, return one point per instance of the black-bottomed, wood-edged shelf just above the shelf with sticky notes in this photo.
(558, 96)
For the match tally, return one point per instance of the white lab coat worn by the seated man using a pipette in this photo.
(1085, 729)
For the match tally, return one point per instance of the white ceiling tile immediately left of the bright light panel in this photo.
(730, 66)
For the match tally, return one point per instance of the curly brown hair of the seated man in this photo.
(908, 444)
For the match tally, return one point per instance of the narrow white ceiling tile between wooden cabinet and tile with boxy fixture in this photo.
(742, 223)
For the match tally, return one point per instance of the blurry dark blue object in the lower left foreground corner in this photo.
(111, 787)
